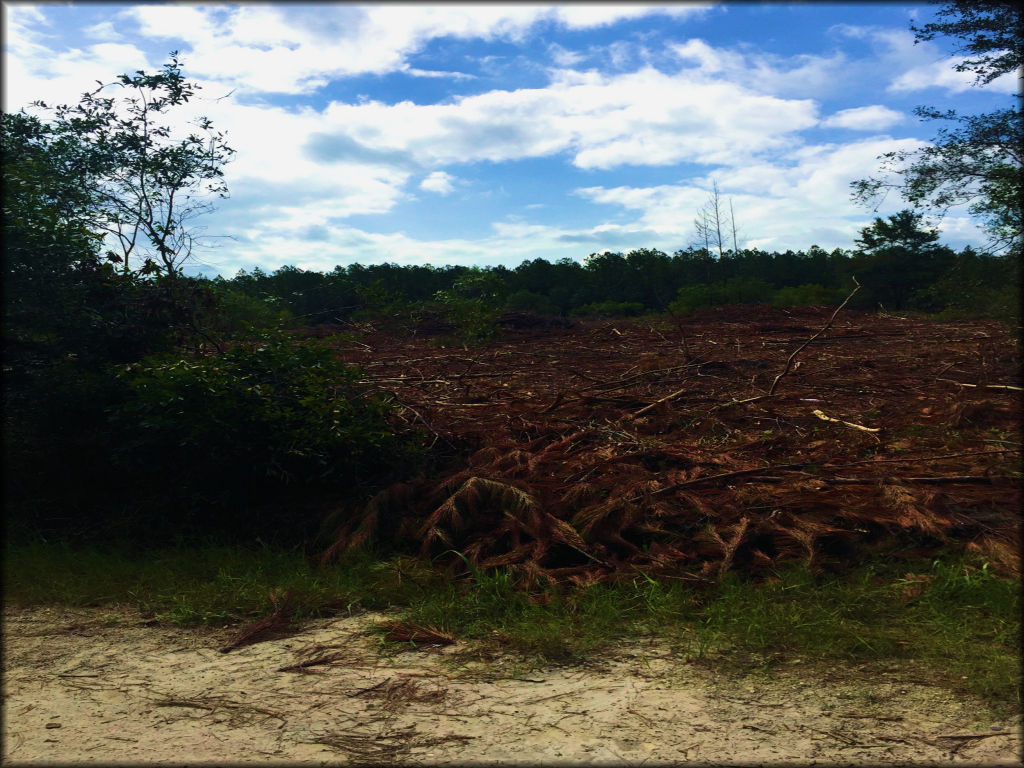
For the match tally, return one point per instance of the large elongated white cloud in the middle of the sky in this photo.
(642, 118)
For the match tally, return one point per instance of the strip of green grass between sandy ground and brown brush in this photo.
(953, 615)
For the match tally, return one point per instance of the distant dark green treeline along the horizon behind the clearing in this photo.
(901, 268)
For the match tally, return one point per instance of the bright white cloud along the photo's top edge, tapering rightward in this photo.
(298, 49)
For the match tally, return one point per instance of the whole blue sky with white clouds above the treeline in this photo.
(485, 135)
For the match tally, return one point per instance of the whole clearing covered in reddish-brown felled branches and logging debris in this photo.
(589, 453)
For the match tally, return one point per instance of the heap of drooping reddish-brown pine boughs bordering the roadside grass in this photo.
(549, 511)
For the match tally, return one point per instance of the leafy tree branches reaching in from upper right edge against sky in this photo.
(977, 163)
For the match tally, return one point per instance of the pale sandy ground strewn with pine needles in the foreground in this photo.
(81, 686)
